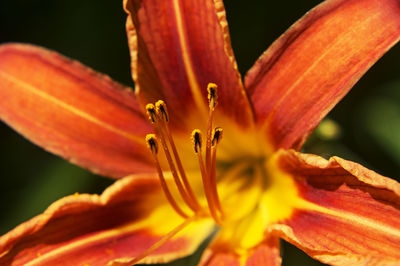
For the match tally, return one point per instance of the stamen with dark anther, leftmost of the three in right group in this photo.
(197, 141)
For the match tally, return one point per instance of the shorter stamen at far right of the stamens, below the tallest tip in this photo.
(217, 136)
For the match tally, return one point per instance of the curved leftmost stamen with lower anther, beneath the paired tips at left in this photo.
(151, 141)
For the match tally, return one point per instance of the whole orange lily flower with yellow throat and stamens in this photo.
(241, 173)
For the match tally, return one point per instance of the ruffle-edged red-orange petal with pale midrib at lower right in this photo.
(346, 214)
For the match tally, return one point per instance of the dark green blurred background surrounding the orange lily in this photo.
(93, 32)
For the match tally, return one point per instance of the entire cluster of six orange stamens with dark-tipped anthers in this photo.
(206, 153)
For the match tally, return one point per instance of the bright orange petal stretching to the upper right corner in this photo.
(300, 78)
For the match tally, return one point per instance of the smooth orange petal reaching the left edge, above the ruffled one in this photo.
(72, 111)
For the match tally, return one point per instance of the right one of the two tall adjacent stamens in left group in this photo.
(162, 112)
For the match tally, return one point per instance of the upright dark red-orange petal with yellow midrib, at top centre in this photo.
(177, 48)
